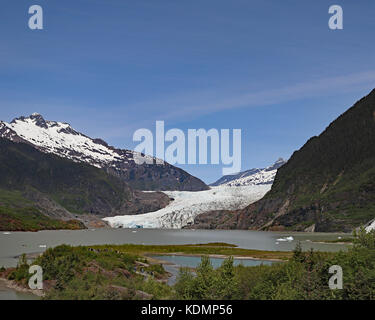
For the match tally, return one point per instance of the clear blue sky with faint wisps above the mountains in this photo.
(108, 67)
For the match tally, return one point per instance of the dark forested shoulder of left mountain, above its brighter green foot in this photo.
(78, 187)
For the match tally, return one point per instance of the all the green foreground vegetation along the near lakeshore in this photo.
(123, 272)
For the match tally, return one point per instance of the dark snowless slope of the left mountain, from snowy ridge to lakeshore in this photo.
(38, 190)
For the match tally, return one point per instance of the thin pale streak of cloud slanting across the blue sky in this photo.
(192, 106)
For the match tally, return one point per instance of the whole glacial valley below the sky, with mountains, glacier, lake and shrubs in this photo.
(106, 227)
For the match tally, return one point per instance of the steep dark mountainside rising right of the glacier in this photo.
(327, 185)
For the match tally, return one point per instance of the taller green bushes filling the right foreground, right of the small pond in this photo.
(305, 276)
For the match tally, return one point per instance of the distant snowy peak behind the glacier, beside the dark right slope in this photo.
(252, 177)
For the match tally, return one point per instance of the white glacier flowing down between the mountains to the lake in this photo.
(187, 205)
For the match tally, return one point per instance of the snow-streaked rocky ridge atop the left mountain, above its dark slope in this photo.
(61, 139)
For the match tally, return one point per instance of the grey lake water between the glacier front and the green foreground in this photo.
(14, 244)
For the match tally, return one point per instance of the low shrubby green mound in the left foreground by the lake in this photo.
(84, 273)
